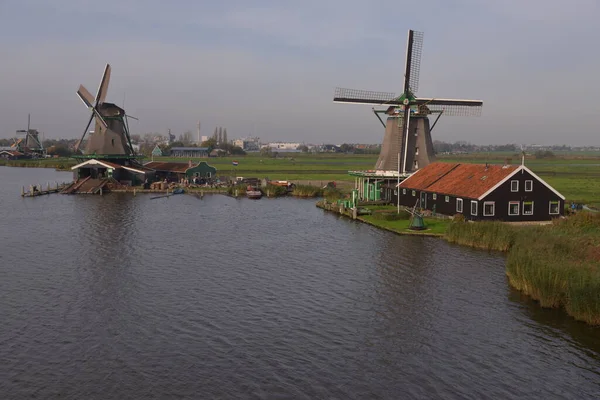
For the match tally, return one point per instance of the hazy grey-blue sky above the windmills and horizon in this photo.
(269, 68)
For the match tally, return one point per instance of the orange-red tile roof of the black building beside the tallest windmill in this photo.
(462, 180)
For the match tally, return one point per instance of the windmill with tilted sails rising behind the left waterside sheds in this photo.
(110, 138)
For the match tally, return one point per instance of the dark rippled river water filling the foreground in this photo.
(123, 297)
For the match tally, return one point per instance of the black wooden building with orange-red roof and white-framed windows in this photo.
(481, 192)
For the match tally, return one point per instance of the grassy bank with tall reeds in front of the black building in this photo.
(556, 264)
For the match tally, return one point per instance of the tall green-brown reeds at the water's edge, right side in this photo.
(559, 266)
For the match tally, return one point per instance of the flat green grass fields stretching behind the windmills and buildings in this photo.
(575, 175)
